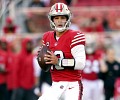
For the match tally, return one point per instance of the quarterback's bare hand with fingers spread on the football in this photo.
(51, 58)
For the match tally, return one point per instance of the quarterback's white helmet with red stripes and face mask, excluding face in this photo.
(59, 9)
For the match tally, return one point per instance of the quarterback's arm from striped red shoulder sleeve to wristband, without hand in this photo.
(77, 51)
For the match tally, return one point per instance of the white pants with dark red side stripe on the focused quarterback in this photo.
(63, 91)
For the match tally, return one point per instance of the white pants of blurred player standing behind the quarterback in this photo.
(92, 90)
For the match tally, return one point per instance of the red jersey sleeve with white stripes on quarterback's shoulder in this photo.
(77, 38)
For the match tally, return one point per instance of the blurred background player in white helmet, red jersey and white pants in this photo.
(93, 86)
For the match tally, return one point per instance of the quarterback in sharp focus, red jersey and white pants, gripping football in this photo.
(67, 56)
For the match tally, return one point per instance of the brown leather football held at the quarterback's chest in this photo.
(40, 58)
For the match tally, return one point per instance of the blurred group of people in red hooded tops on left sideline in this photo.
(20, 75)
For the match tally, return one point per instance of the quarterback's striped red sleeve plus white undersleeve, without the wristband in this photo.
(78, 49)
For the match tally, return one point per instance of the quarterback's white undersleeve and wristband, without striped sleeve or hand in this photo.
(78, 61)
